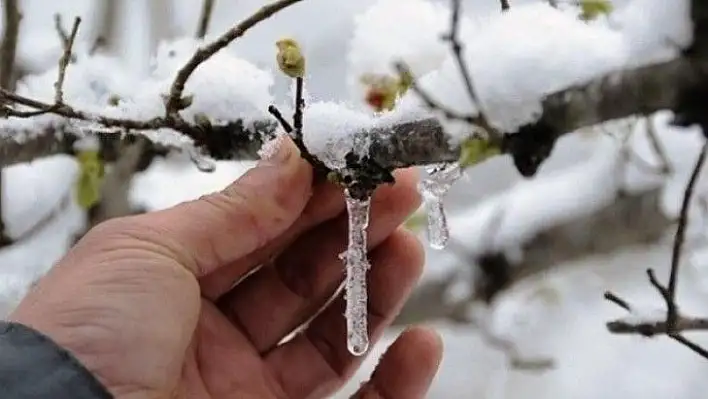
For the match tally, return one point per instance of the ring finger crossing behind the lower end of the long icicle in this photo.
(316, 362)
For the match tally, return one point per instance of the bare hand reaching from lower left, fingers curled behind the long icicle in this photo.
(163, 305)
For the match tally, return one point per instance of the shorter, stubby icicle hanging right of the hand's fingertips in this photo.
(433, 191)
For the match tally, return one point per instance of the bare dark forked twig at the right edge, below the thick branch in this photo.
(674, 323)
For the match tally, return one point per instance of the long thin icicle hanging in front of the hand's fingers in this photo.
(356, 265)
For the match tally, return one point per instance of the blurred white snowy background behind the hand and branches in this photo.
(515, 59)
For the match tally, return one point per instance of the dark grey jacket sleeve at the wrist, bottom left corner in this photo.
(32, 366)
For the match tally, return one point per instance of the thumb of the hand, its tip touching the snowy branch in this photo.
(222, 227)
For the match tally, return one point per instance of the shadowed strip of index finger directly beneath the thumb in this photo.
(327, 202)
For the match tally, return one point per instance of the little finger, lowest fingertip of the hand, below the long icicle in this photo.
(407, 368)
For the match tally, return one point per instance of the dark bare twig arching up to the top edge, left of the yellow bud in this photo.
(172, 105)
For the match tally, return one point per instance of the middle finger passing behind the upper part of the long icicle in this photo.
(271, 303)
